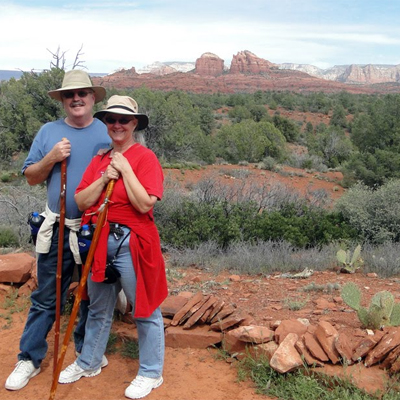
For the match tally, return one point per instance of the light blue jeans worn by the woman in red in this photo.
(103, 298)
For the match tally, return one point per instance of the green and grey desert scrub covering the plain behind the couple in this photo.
(246, 227)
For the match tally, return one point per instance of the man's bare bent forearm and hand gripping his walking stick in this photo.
(38, 172)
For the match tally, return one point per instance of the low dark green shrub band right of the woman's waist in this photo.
(192, 223)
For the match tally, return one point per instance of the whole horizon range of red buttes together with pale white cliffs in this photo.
(249, 73)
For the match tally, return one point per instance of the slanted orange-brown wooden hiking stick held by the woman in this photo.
(85, 272)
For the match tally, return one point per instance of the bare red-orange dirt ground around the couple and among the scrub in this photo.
(192, 374)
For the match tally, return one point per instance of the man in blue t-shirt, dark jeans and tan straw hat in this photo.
(76, 138)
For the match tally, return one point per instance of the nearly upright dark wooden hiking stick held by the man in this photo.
(60, 258)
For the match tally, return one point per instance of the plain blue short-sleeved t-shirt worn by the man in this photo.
(85, 143)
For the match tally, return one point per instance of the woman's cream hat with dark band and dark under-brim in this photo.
(124, 105)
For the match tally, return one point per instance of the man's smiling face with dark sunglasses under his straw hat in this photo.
(78, 103)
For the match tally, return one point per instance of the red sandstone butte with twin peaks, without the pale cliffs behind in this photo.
(247, 74)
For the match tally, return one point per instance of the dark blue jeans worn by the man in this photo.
(42, 313)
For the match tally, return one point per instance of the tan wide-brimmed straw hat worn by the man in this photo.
(78, 79)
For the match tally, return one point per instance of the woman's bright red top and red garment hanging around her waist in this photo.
(144, 241)
